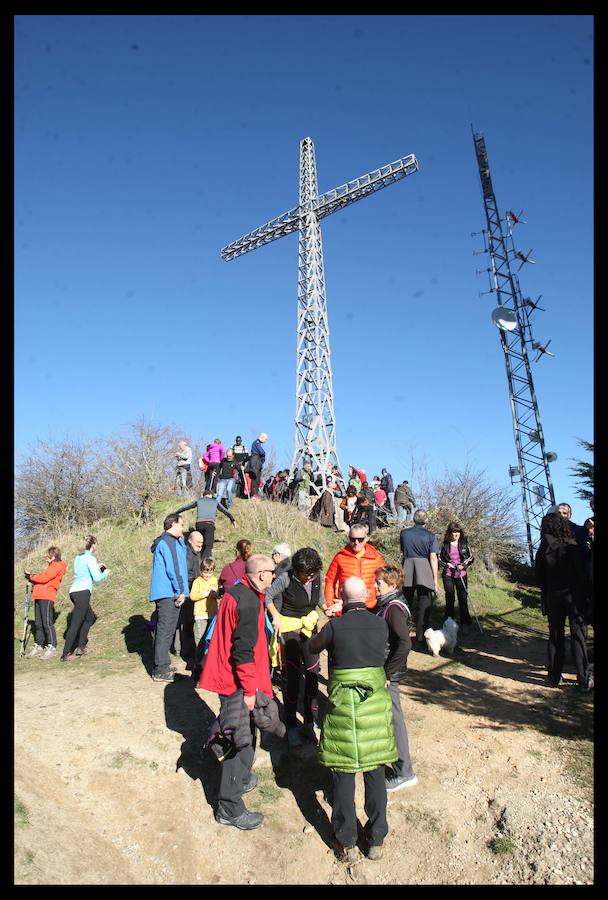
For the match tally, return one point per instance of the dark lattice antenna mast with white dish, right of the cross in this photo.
(512, 316)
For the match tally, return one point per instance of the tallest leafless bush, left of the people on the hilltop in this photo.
(138, 468)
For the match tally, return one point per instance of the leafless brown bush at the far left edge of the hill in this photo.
(56, 488)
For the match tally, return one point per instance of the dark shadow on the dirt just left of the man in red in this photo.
(188, 714)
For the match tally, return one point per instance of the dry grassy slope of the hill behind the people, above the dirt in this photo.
(121, 602)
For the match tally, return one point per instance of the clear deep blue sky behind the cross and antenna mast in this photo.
(143, 144)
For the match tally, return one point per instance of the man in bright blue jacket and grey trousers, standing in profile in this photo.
(168, 589)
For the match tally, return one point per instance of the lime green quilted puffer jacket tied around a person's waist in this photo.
(358, 726)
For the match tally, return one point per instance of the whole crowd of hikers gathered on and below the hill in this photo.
(268, 617)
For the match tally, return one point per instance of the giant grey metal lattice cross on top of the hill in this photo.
(315, 426)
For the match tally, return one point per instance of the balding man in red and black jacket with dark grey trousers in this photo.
(238, 664)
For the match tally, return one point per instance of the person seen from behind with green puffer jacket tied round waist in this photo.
(357, 731)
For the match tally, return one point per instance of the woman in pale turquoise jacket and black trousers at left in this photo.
(87, 571)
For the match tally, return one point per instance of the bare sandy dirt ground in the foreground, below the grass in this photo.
(116, 791)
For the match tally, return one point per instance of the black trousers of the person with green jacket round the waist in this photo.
(344, 815)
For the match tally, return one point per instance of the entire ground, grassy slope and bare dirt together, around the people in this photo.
(113, 763)
